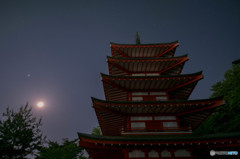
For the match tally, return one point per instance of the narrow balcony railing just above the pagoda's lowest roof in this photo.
(144, 131)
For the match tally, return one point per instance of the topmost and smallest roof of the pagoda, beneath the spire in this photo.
(143, 50)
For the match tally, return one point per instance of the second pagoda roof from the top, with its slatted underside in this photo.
(162, 65)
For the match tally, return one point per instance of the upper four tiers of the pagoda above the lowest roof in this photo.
(147, 94)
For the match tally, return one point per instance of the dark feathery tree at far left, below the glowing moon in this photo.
(19, 133)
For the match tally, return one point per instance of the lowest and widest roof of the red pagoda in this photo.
(165, 141)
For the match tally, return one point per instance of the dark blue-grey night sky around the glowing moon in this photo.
(55, 50)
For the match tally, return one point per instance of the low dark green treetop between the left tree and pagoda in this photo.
(68, 150)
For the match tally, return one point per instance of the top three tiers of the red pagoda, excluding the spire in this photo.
(147, 72)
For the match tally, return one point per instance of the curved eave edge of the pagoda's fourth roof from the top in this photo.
(179, 108)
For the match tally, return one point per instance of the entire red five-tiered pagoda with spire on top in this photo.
(147, 113)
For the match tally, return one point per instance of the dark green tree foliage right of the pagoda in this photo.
(227, 117)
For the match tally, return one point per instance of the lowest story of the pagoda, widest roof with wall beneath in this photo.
(162, 146)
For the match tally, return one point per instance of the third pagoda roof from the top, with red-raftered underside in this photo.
(177, 86)
